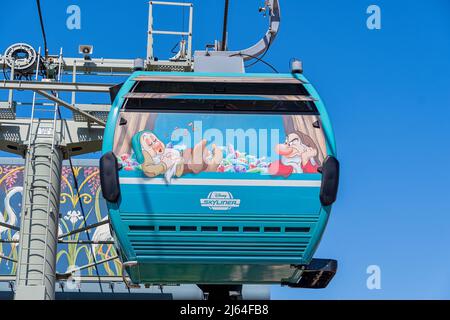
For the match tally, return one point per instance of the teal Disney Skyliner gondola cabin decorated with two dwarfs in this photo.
(220, 178)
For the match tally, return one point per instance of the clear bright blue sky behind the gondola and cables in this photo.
(388, 95)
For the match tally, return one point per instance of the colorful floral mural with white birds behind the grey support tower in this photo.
(72, 206)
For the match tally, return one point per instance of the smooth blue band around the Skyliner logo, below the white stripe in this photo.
(187, 199)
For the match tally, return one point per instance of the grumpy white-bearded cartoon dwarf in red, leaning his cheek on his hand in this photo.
(298, 155)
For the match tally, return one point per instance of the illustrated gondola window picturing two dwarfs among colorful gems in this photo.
(171, 145)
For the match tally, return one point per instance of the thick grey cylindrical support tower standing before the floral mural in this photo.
(36, 268)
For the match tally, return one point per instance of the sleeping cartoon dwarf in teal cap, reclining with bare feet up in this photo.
(157, 159)
